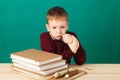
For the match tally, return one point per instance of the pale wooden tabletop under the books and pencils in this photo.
(94, 72)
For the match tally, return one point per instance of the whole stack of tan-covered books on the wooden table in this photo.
(37, 63)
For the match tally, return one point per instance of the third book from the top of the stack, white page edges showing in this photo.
(42, 72)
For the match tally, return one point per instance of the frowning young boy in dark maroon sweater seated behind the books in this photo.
(58, 40)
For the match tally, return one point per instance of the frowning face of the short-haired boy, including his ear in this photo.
(57, 28)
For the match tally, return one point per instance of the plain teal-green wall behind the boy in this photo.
(96, 23)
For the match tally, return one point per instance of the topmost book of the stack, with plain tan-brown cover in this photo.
(35, 57)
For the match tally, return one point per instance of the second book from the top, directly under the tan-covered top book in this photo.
(41, 67)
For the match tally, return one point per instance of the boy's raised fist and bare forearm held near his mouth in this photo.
(72, 42)
